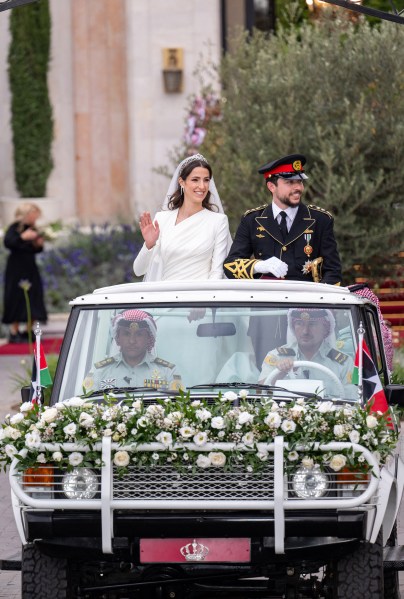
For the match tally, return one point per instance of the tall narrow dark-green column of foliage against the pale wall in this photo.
(31, 122)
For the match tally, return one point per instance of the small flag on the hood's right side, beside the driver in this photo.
(372, 387)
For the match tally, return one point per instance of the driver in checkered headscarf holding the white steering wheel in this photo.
(310, 338)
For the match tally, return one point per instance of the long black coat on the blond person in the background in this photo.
(21, 266)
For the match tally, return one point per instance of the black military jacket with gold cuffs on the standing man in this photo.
(258, 237)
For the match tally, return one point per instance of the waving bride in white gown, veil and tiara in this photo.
(189, 238)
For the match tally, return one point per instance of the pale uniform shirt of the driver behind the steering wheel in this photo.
(339, 363)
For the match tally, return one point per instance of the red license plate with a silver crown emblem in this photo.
(194, 551)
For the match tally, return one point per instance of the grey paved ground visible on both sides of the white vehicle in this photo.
(10, 545)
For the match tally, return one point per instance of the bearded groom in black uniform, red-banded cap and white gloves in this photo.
(285, 239)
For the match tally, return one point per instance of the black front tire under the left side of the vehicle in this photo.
(44, 577)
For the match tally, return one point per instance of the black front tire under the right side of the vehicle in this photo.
(359, 574)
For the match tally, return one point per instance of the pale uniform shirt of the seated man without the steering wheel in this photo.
(115, 372)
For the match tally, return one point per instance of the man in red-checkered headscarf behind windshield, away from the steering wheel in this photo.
(135, 365)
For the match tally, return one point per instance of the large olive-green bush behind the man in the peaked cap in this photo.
(333, 91)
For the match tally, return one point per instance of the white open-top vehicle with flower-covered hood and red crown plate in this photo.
(288, 529)
